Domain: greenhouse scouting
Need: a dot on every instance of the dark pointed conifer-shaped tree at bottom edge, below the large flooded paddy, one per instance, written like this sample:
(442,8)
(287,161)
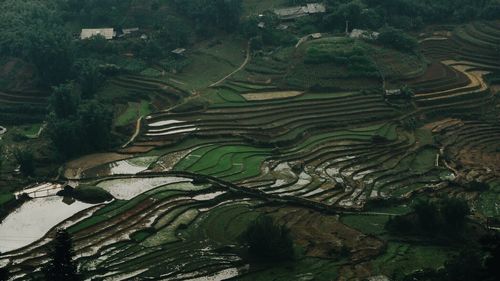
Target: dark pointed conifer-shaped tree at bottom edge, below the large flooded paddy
(61,265)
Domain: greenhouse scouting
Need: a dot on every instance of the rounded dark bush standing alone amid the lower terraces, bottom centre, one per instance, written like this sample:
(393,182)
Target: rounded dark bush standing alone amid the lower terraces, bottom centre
(269,240)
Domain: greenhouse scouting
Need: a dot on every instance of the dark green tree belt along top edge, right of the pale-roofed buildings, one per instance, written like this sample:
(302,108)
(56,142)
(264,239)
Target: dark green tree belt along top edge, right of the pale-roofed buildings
(405,14)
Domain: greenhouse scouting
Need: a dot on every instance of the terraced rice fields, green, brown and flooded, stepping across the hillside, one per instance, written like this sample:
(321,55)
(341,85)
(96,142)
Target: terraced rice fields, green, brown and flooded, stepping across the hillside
(189,182)
